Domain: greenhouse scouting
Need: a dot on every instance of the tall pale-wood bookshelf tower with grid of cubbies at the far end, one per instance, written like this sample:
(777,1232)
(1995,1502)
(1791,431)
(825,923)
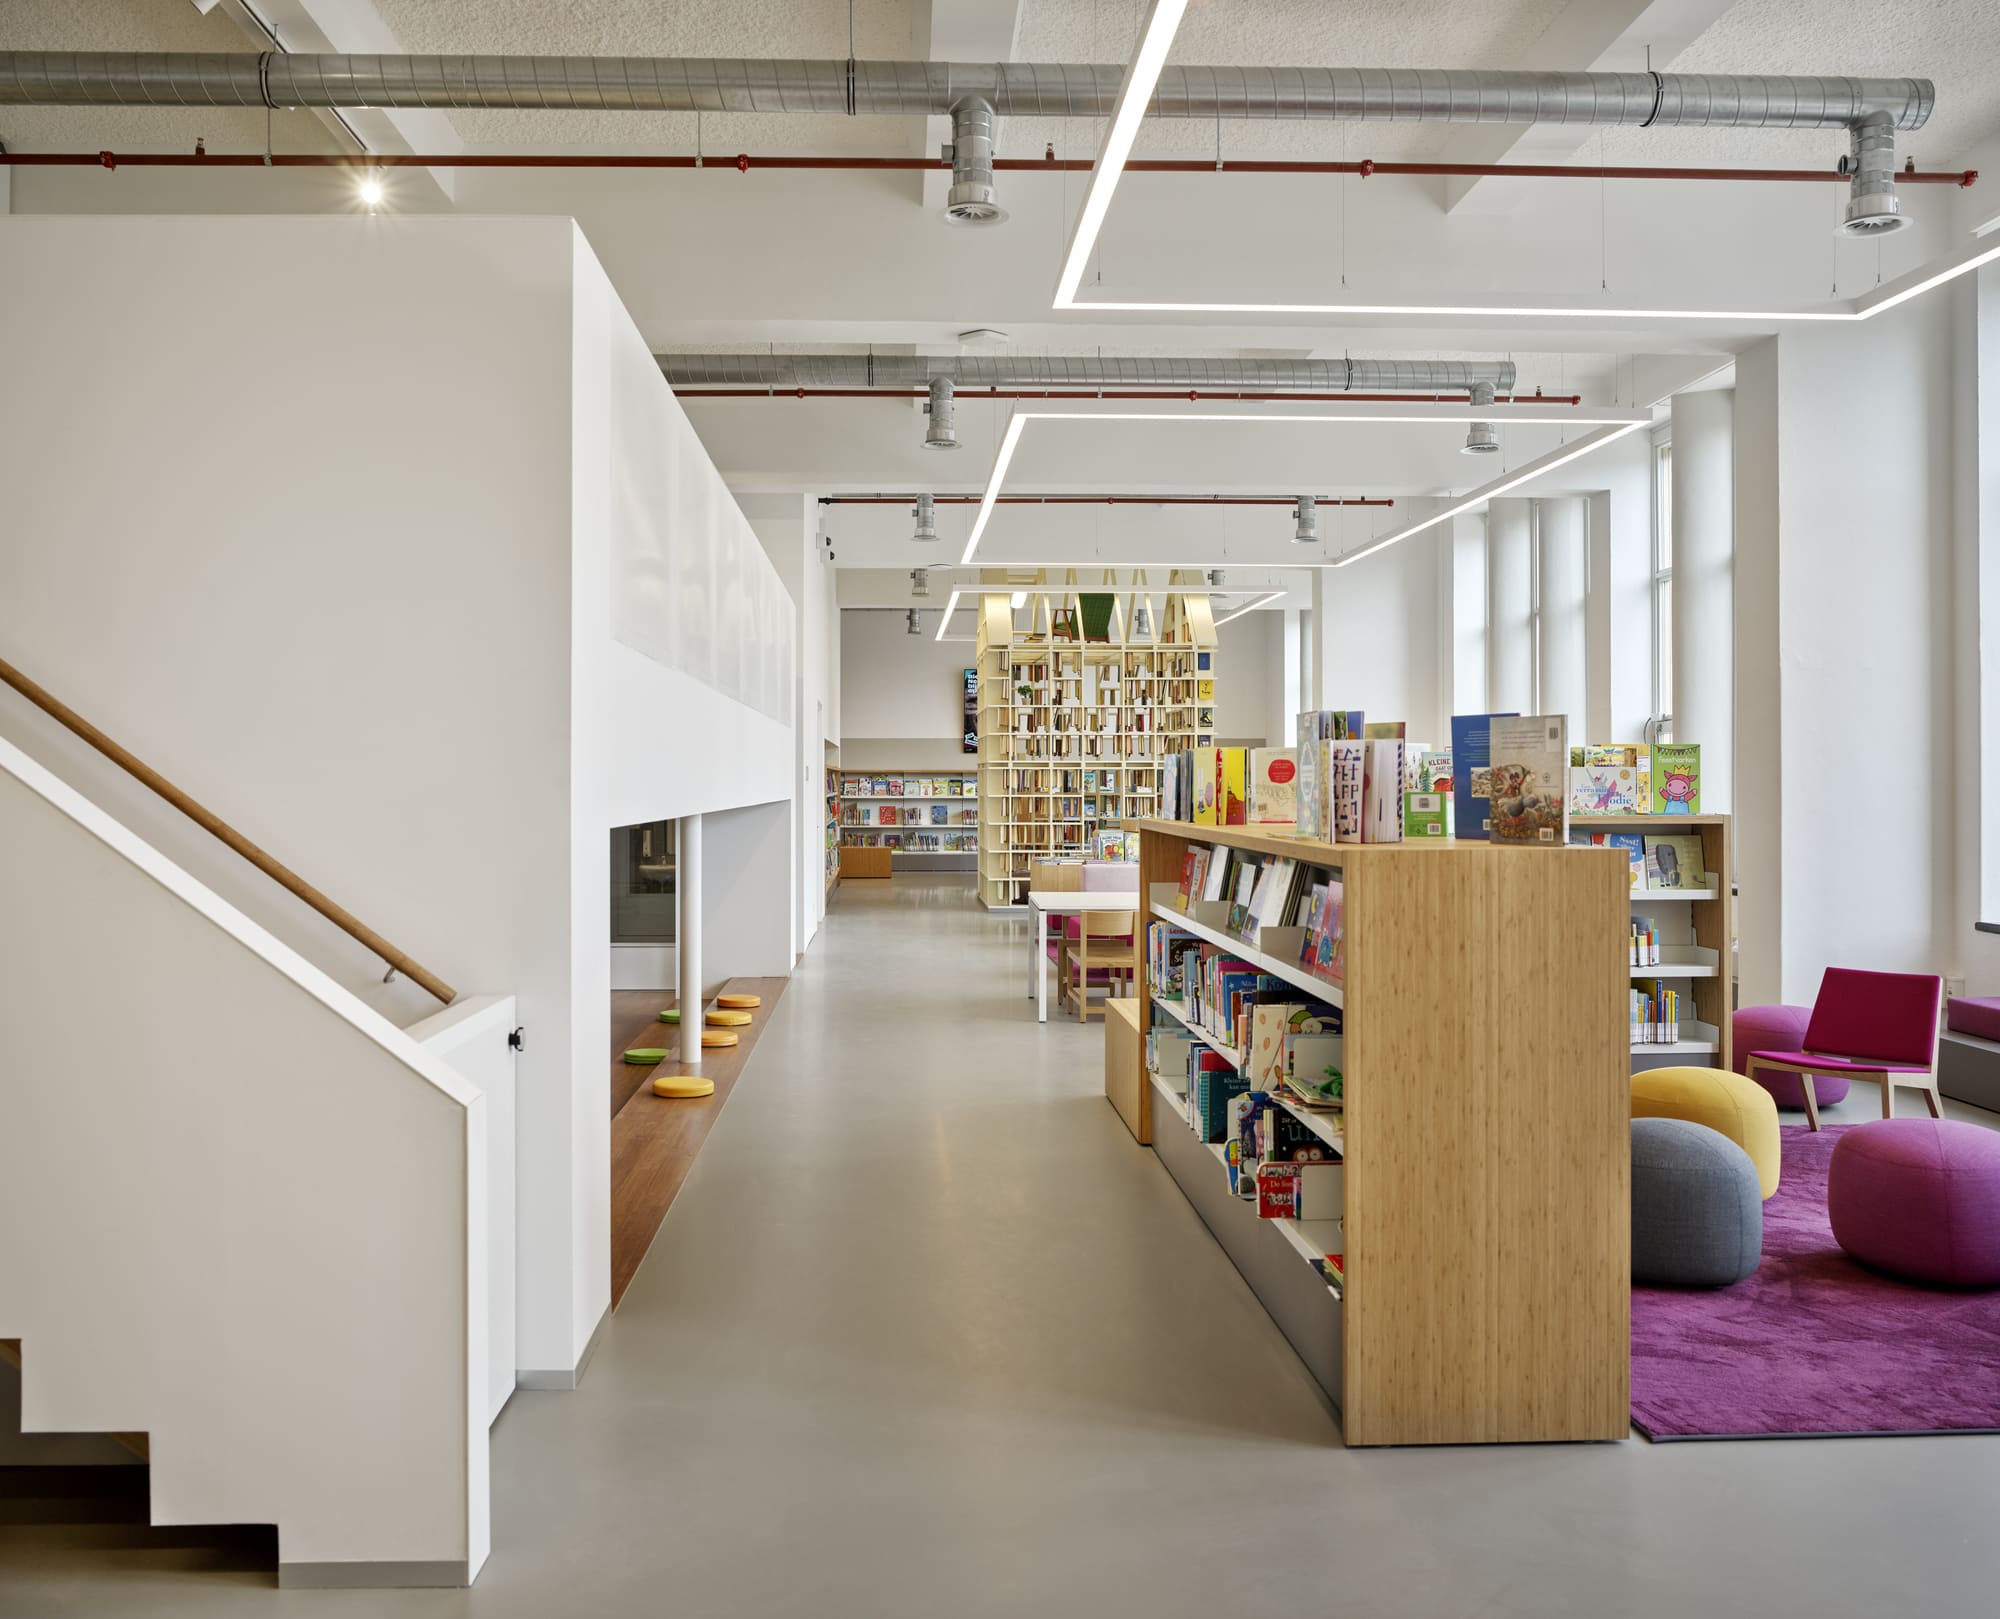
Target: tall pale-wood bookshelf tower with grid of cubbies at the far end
(1083,697)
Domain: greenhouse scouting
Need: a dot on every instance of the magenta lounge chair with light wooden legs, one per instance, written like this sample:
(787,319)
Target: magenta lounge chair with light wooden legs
(1865,1026)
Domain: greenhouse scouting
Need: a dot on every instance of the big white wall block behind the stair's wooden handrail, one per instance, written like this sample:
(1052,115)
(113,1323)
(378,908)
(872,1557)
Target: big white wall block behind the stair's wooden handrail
(383,655)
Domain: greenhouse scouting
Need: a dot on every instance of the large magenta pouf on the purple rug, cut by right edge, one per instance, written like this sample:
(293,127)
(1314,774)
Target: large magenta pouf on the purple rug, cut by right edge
(1919,1198)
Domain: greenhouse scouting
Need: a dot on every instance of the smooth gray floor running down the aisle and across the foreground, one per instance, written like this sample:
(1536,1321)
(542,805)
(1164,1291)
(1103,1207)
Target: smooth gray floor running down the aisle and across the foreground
(927,1334)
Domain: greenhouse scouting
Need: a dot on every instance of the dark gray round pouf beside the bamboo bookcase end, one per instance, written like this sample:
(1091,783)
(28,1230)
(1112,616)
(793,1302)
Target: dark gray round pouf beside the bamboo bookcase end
(1697,1206)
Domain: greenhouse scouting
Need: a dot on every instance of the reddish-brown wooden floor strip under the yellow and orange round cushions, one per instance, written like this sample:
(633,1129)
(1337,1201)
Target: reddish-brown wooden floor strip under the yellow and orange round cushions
(655,1138)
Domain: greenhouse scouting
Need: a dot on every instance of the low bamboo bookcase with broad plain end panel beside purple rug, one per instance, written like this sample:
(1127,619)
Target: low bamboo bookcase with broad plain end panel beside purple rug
(1485,1134)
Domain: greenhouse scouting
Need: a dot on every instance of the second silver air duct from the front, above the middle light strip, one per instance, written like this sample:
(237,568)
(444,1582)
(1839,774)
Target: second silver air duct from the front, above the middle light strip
(1035,371)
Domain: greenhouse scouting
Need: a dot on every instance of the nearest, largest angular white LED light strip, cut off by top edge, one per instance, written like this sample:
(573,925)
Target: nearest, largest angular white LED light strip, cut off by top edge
(1143,79)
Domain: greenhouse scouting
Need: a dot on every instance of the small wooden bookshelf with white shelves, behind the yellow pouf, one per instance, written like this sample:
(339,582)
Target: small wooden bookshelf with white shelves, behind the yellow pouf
(1697,938)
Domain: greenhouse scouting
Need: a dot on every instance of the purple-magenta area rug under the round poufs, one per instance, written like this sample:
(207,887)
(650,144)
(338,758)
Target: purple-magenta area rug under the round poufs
(1813,1344)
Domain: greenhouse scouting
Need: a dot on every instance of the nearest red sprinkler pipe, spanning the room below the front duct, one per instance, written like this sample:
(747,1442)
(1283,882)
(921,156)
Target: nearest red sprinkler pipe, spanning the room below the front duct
(743,163)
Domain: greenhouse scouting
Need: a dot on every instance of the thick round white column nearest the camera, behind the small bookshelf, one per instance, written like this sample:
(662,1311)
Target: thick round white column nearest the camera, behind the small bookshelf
(1705,615)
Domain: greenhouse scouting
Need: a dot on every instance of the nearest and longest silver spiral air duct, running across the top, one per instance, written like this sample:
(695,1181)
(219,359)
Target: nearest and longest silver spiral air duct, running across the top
(939,89)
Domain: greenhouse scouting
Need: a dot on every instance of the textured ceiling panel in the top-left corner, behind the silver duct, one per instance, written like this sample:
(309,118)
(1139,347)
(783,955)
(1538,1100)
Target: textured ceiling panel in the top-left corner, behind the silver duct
(139,25)
